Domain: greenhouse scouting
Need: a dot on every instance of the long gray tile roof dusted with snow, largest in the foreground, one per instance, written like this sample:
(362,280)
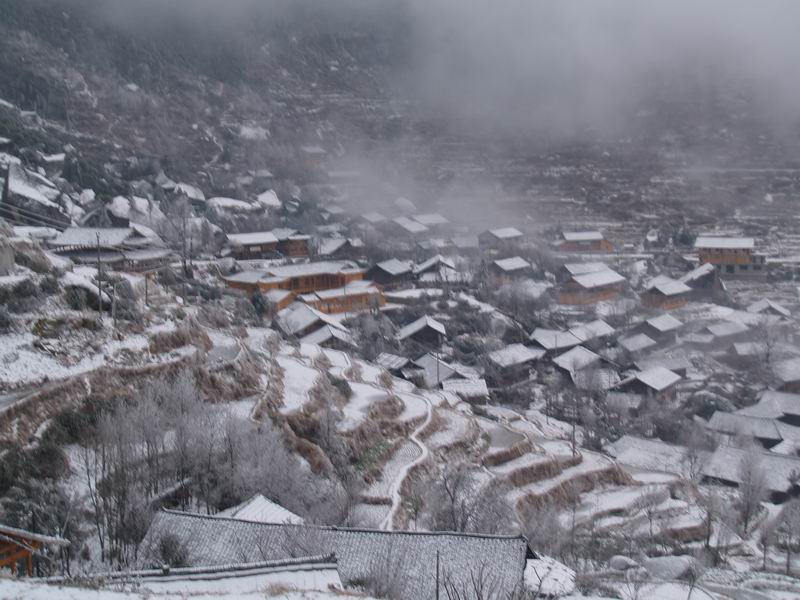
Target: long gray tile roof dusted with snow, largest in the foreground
(407,557)
